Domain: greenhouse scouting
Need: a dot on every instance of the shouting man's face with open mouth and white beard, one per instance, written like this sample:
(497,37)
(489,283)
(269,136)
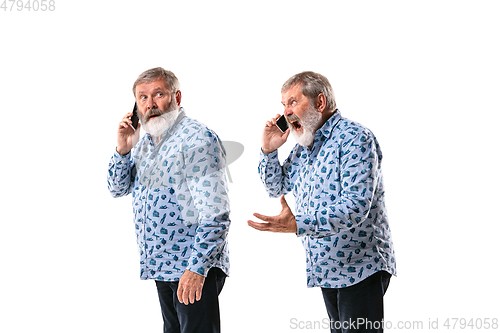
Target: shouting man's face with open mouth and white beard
(301,115)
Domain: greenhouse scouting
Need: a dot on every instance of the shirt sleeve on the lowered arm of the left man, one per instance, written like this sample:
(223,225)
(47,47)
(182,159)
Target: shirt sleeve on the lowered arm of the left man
(205,163)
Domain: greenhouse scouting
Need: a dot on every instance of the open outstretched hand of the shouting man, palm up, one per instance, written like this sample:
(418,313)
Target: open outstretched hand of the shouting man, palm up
(284,222)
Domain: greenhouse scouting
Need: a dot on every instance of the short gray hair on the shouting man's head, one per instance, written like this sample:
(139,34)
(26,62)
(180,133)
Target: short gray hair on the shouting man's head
(313,84)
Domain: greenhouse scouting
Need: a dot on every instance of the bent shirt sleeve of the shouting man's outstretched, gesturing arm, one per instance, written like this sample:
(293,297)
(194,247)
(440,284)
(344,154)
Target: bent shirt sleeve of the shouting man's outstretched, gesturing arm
(359,176)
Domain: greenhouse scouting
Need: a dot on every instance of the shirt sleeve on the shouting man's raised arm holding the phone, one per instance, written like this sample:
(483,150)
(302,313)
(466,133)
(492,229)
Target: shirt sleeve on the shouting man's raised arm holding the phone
(275,177)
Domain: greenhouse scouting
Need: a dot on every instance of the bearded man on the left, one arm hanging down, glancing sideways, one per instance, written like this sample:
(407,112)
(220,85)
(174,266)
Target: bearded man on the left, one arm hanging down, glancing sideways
(176,174)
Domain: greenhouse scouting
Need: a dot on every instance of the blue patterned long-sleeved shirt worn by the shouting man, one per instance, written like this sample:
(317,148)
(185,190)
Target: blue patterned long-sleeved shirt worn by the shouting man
(340,210)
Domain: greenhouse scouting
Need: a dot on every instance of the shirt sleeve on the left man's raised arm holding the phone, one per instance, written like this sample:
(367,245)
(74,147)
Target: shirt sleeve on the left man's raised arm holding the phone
(120,172)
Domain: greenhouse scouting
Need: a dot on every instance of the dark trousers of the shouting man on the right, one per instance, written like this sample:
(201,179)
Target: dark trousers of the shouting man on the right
(358,308)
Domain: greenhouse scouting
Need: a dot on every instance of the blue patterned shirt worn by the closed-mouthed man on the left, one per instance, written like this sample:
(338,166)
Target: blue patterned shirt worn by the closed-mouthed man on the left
(180,201)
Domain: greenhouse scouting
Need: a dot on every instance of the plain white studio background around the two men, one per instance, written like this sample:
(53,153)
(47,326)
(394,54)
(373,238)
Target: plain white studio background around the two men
(423,75)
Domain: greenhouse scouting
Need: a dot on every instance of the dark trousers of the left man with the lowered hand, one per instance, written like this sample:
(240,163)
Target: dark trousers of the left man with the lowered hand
(202,316)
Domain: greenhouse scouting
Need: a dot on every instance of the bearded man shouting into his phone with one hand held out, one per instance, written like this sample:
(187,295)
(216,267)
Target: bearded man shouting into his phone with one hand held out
(335,174)
